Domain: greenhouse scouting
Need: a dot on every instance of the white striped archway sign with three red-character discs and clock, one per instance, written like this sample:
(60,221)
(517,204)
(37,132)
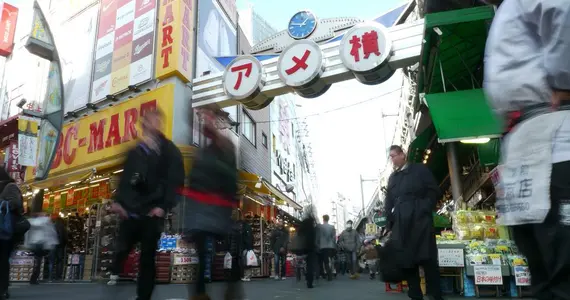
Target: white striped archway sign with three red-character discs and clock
(309,63)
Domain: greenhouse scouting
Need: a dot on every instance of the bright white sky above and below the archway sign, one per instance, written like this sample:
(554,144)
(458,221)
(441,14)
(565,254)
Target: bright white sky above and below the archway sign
(349,141)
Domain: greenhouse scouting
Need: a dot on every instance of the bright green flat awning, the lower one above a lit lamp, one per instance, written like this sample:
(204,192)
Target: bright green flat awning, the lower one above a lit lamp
(462,115)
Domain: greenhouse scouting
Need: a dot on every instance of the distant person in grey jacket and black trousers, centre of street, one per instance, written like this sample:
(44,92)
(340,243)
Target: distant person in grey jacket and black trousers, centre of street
(326,241)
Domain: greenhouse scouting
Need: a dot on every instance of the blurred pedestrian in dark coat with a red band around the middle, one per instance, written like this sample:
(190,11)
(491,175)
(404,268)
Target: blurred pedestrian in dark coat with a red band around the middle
(210,199)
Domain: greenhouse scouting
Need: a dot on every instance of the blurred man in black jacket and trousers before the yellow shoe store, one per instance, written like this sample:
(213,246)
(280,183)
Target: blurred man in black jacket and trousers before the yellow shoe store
(153,171)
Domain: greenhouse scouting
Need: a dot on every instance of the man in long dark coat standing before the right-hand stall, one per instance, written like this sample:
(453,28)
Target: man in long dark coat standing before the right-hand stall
(410,201)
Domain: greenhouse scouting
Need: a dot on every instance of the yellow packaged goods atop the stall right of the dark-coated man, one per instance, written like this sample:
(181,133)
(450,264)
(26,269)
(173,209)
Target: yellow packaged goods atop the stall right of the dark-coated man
(475,225)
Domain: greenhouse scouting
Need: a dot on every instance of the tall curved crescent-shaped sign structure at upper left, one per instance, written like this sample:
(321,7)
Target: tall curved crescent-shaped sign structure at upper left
(41,43)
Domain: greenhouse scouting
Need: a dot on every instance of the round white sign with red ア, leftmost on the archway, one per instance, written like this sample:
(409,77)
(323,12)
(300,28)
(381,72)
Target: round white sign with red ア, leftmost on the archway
(243,77)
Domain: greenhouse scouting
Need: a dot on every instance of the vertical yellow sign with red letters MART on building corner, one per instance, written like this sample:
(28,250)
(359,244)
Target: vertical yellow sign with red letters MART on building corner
(175,38)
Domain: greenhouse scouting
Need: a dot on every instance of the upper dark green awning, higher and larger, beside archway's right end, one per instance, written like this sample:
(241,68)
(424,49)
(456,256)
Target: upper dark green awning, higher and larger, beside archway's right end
(454,44)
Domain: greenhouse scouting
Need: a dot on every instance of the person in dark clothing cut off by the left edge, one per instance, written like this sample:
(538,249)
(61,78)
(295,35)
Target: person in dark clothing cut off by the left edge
(10,193)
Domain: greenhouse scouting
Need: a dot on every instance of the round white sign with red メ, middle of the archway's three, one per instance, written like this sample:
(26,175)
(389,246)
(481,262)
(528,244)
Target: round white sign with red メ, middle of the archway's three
(301,66)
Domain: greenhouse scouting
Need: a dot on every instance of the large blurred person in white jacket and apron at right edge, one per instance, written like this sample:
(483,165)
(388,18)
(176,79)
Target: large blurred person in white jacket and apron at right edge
(527,81)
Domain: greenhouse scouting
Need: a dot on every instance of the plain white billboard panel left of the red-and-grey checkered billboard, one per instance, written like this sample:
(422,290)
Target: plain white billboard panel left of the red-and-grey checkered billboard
(76,42)
